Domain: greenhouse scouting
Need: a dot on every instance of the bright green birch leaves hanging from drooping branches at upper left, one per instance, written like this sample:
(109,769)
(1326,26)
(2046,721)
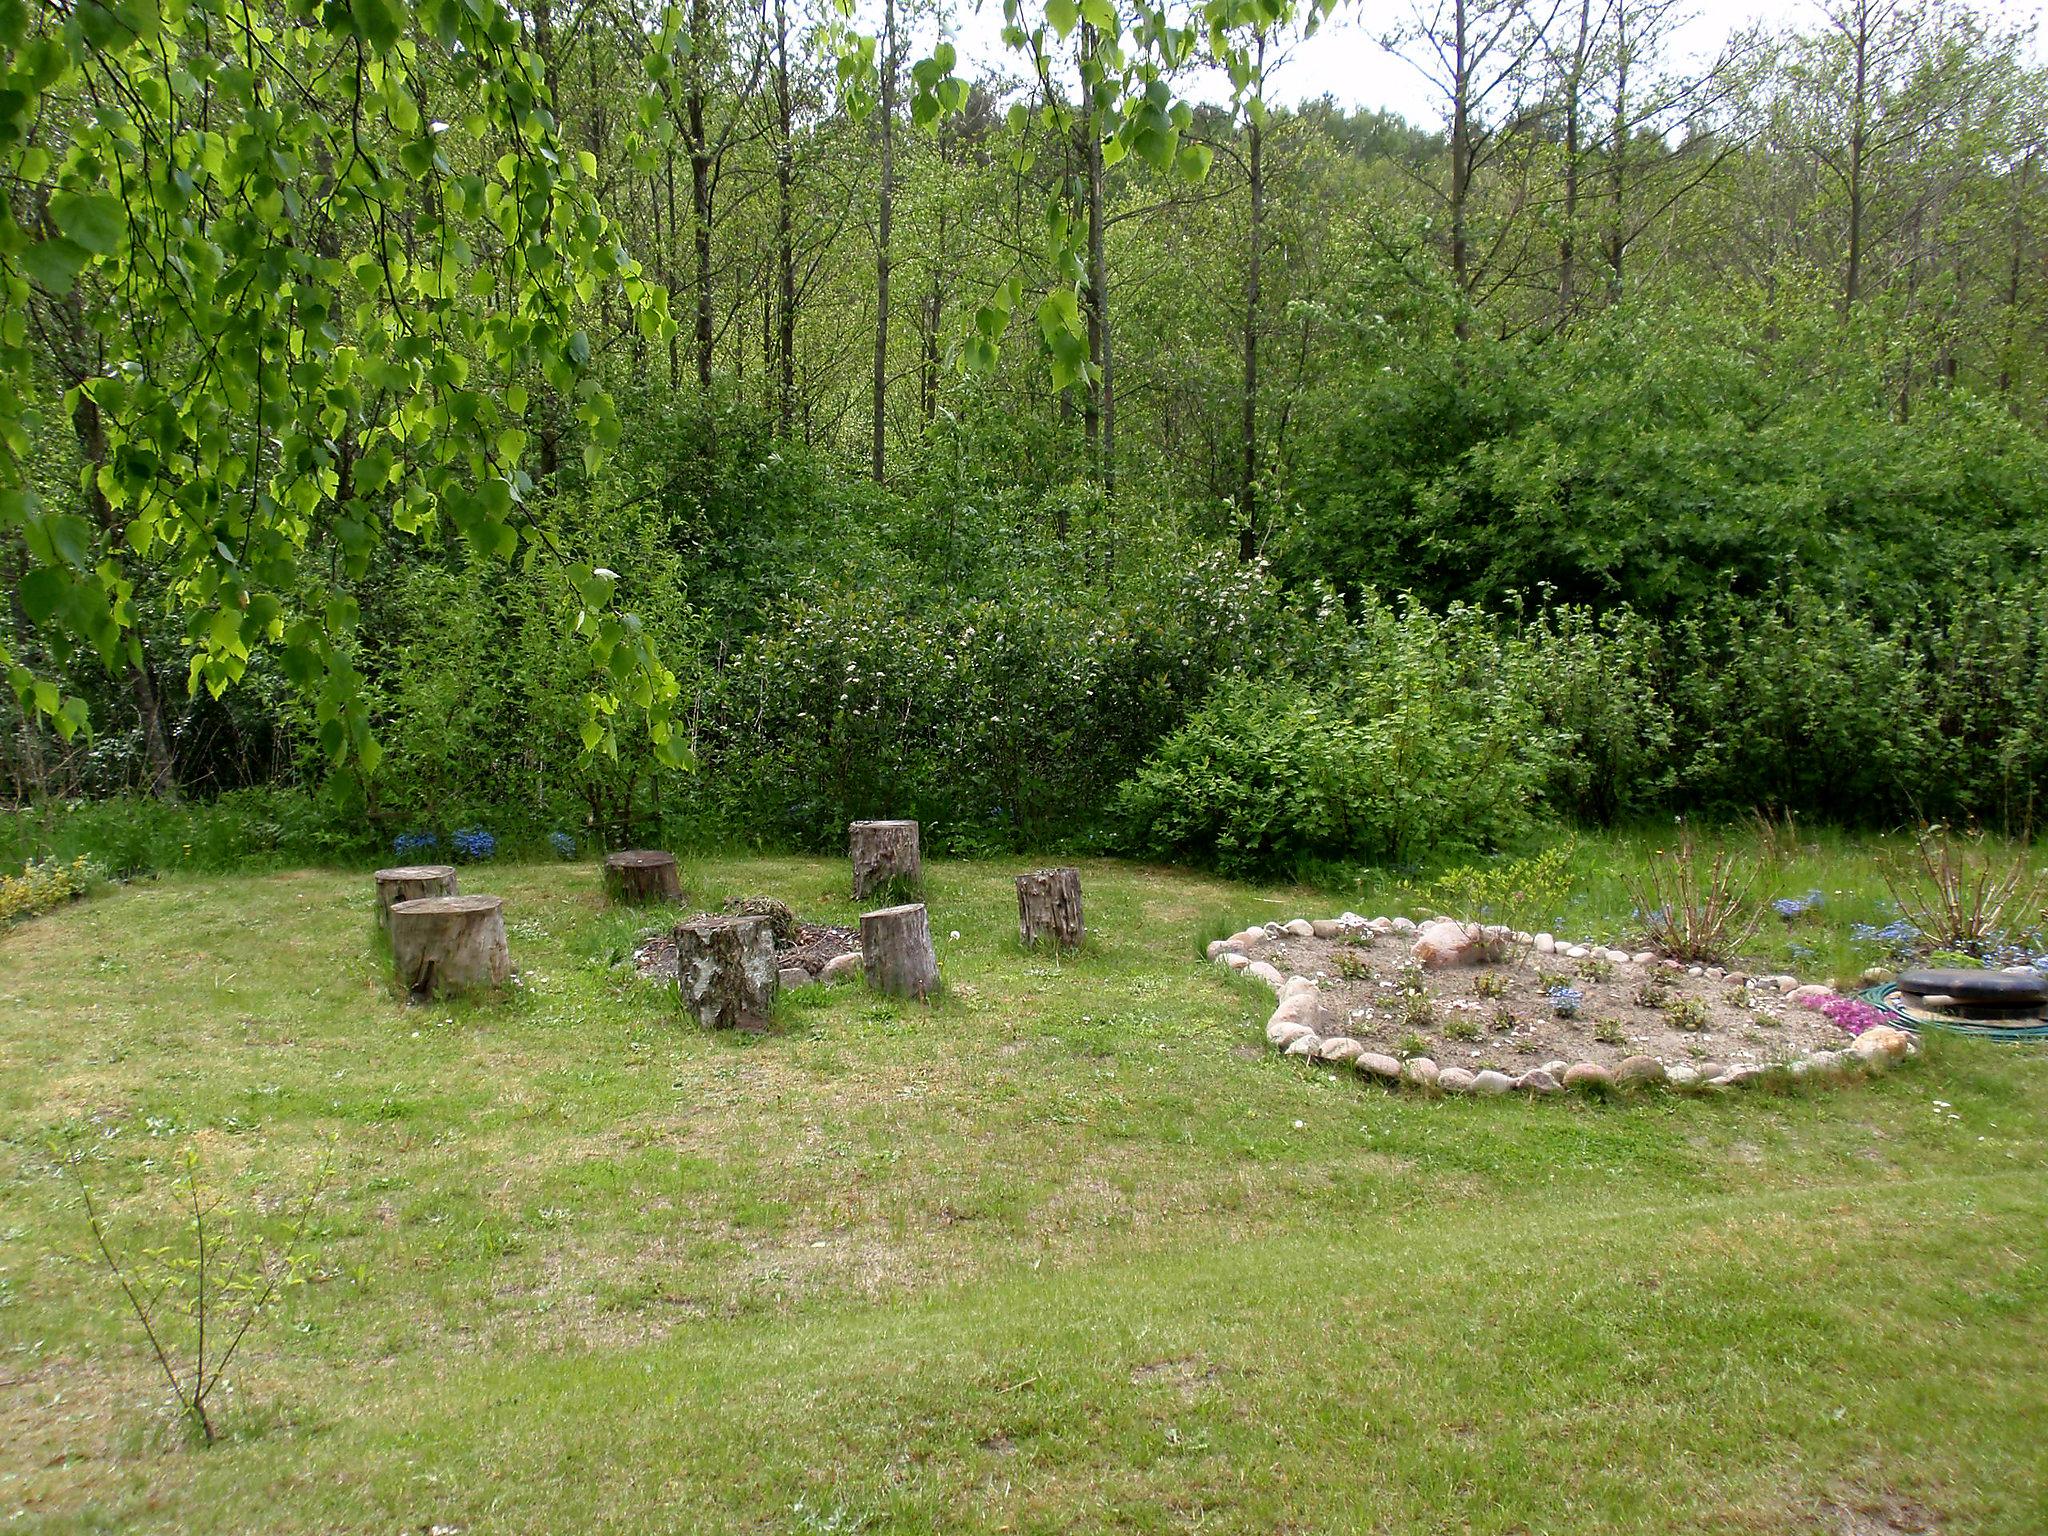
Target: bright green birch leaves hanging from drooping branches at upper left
(316,321)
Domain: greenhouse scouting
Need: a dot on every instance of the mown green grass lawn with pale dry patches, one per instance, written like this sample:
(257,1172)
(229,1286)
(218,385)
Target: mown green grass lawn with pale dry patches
(1068,1252)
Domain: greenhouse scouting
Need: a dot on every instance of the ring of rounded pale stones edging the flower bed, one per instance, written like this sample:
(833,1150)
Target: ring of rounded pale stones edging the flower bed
(1293,1023)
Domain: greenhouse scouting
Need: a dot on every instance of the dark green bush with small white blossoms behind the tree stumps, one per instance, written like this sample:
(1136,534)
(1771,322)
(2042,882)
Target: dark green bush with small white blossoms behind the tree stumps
(1000,724)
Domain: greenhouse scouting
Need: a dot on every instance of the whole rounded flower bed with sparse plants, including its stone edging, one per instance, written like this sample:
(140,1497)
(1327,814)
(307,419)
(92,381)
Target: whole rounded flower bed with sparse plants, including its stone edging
(1488,1011)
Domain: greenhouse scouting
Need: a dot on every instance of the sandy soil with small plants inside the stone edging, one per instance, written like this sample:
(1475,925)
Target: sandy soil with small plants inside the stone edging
(1504,1017)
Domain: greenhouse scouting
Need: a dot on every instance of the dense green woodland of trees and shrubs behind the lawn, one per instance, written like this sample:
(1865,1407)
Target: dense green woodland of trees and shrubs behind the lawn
(1072,450)
